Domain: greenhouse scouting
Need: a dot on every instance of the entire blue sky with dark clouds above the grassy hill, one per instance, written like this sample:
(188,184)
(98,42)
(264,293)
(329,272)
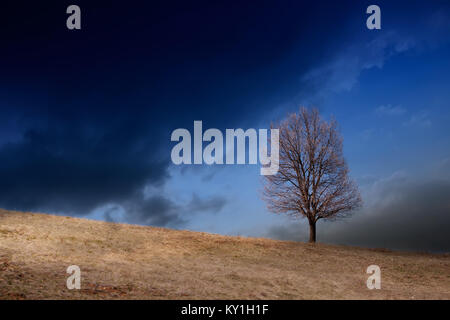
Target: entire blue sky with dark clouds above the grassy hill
(86,115)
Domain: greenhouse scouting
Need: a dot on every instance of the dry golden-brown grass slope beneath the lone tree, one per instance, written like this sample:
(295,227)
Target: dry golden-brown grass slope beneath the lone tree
(120,261)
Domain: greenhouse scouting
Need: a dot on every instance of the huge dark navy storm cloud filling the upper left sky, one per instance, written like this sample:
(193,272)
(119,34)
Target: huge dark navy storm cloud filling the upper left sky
(86,116)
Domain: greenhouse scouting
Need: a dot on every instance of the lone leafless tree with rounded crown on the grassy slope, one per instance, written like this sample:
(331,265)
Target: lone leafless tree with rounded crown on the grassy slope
(313,178)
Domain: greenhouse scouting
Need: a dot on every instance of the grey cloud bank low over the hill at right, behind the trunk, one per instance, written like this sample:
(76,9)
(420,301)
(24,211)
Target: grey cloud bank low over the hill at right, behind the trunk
(401,214)
